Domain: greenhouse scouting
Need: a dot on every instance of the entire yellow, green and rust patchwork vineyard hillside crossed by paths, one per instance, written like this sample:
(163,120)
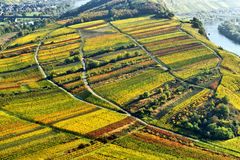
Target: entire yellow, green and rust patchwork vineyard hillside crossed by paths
(124,89)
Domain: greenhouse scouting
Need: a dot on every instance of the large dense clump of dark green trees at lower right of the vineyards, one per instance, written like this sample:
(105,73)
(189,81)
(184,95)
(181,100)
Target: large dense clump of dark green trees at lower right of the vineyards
(213,120)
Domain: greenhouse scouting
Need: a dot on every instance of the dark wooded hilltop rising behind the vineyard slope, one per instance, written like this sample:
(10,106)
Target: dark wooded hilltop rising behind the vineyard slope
(97,9)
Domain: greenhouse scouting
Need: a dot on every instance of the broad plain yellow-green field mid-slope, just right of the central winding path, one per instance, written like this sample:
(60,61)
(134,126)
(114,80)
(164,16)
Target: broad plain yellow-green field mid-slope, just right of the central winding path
(126,90)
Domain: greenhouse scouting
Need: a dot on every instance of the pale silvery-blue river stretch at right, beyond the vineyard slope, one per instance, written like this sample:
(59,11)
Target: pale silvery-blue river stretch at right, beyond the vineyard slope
(220,40)
